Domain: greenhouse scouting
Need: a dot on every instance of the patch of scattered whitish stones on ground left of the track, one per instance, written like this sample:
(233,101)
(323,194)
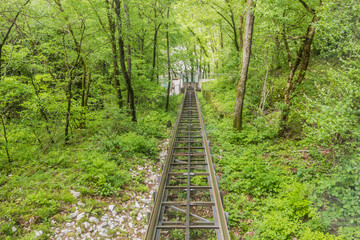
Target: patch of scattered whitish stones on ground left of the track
(121,218)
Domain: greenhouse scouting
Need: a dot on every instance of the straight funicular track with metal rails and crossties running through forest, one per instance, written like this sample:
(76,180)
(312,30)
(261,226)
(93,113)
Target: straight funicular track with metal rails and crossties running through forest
(188,204)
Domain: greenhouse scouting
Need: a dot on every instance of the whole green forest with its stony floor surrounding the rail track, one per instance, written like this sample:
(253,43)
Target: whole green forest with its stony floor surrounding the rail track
(86,113)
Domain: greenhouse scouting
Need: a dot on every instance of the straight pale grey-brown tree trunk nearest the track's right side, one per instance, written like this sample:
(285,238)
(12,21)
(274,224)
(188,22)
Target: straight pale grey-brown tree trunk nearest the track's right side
(239,103)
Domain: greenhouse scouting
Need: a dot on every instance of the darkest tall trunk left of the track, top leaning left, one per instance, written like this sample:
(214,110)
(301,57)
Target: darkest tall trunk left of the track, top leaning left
(123,65)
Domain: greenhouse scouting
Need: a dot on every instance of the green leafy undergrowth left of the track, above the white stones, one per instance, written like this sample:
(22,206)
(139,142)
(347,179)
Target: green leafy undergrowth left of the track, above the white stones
(35,186)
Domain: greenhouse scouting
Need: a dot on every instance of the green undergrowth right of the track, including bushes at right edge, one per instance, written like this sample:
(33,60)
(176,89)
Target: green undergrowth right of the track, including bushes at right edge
(305,186)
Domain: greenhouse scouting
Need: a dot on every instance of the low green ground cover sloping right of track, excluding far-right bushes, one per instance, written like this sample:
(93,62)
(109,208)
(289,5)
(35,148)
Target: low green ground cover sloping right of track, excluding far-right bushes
(274,188)
